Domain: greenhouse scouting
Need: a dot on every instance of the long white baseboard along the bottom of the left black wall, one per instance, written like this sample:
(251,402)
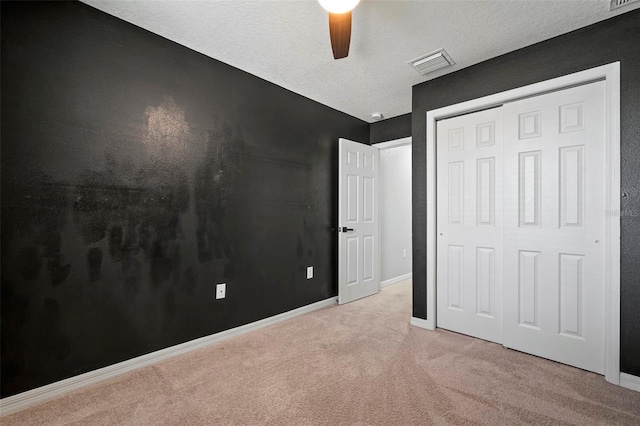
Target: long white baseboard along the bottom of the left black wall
(44,393)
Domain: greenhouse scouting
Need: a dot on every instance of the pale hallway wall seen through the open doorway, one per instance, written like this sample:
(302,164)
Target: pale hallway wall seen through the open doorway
(395,212)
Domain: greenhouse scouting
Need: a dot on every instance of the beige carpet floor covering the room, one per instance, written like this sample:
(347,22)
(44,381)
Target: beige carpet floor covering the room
(357,364)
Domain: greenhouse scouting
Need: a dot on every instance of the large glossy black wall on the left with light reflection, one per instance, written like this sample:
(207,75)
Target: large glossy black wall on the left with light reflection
(137,174)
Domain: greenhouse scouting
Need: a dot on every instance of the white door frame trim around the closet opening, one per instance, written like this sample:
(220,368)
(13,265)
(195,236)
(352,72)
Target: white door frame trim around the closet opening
(611,75)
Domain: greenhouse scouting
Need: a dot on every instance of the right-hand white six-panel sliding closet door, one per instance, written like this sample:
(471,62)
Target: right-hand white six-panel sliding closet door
(554,227)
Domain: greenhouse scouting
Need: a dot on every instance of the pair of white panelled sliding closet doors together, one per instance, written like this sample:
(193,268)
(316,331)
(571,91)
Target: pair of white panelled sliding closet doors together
(544,275)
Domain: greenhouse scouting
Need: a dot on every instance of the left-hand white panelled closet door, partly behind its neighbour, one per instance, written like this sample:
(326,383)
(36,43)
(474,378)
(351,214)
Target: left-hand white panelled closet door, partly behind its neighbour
(469,243)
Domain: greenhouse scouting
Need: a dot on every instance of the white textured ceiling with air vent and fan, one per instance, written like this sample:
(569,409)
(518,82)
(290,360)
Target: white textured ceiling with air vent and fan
(287,42)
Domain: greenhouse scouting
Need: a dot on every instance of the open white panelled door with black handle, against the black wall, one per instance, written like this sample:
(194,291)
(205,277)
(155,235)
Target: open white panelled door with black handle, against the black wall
(358,221)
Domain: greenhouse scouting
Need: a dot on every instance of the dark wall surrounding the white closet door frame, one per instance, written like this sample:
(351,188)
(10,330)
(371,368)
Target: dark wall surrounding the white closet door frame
(615,39)
